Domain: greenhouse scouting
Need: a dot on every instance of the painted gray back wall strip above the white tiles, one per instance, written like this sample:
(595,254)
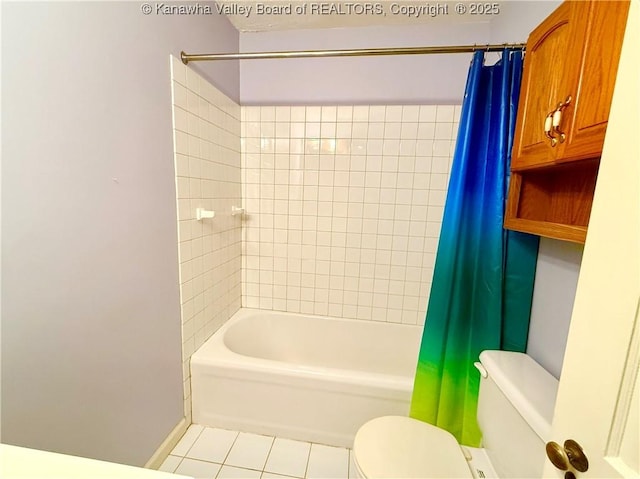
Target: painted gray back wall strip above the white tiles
(431,79)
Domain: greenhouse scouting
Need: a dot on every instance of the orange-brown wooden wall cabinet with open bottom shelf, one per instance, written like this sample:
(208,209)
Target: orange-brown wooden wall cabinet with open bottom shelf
(567,87)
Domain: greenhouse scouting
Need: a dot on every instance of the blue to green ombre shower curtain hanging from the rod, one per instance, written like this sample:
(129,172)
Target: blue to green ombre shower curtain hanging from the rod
(483,277)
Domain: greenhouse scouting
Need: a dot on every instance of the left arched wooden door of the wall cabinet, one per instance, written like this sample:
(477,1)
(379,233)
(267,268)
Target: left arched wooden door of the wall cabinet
(551,50)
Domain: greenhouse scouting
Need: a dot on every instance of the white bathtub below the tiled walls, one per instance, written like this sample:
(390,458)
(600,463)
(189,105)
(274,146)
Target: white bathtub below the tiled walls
(309,378)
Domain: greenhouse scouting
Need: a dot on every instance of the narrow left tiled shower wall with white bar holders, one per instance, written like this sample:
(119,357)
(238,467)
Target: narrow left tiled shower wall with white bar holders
(207,162)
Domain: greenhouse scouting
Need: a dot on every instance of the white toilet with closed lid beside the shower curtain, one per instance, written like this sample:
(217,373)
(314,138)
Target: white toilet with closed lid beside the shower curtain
(515,408)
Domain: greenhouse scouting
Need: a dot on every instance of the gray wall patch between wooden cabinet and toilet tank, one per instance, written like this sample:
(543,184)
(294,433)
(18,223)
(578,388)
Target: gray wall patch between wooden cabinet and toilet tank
(553,295)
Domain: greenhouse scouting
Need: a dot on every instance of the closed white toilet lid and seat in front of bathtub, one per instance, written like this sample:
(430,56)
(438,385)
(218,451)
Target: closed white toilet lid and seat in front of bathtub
(401,447)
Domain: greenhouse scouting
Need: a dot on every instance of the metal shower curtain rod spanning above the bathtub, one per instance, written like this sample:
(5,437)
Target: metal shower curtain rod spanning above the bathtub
(364,52)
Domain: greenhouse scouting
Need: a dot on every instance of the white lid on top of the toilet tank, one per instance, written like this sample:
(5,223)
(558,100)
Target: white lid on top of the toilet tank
(530,388)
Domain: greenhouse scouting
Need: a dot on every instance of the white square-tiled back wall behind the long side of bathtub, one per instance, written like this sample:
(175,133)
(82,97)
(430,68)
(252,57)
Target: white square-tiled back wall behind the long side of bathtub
(344,206)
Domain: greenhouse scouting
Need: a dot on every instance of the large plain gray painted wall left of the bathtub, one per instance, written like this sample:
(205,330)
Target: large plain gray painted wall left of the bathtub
(91,341)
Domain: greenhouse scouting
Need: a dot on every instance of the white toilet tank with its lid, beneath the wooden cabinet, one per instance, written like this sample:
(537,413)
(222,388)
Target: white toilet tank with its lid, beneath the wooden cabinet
(515,408)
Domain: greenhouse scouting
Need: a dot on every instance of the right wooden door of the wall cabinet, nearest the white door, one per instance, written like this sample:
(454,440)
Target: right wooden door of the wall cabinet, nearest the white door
(585,119)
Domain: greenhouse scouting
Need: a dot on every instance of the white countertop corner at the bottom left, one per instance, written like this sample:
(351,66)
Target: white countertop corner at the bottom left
(20,462)
